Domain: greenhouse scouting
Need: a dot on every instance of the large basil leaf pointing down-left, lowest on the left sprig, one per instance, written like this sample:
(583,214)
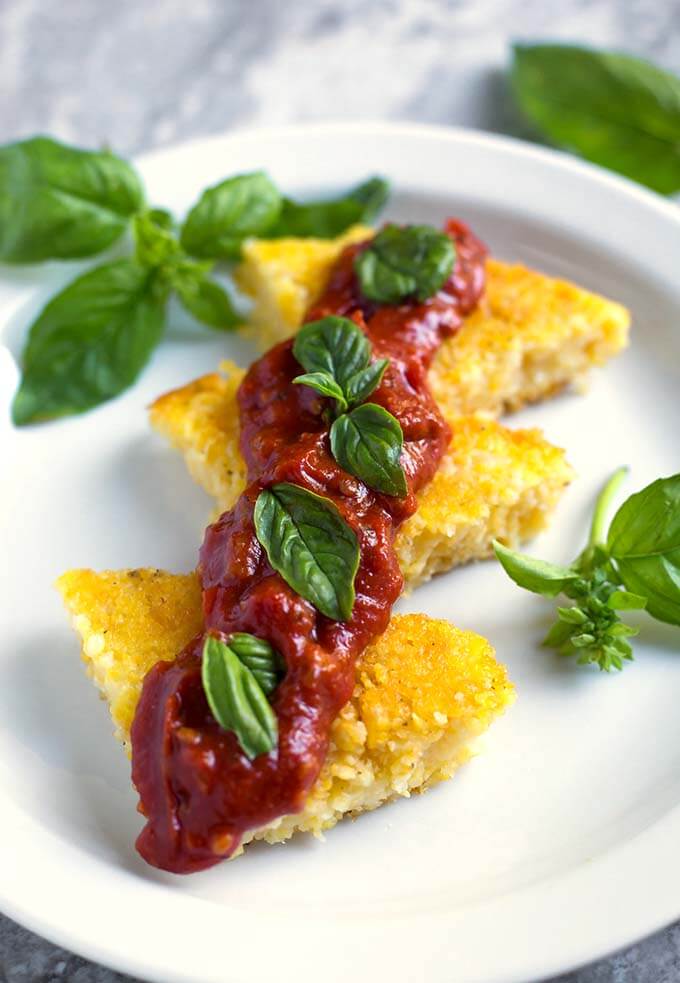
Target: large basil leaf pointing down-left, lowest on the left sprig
(90,342)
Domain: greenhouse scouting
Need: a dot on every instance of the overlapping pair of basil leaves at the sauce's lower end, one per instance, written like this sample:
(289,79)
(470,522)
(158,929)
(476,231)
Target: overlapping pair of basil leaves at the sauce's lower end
(237,676)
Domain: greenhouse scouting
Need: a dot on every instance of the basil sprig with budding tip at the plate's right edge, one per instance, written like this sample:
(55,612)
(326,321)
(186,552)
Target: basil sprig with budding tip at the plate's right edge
(635,565)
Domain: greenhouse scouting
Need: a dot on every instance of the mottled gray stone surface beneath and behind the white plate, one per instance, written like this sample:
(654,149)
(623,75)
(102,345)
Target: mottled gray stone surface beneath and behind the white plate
(143,73)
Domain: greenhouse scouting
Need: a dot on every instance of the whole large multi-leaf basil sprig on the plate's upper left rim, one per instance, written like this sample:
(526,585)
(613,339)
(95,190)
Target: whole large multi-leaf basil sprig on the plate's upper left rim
(92,339)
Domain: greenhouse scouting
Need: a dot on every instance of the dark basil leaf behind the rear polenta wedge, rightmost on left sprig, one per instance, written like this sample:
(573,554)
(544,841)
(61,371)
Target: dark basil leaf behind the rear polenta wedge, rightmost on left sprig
(328,219)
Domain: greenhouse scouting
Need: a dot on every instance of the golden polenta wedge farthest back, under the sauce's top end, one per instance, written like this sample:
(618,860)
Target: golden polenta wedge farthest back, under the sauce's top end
(530,336)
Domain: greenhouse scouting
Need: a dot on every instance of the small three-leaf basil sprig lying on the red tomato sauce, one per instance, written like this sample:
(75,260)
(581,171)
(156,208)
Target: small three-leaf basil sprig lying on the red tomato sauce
(367,440)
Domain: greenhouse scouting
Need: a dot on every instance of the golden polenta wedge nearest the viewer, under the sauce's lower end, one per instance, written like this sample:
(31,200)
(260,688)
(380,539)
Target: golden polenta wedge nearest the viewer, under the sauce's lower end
(425,690)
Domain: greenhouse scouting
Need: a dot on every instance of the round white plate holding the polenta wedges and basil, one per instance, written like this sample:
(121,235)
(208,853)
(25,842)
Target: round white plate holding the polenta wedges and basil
(557,845)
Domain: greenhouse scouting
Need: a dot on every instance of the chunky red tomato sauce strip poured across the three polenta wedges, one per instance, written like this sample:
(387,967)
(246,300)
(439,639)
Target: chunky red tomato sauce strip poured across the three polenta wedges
(198,791)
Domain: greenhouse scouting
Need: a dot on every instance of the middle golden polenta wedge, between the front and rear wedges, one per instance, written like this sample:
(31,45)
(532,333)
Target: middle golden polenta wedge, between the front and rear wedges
(493,483)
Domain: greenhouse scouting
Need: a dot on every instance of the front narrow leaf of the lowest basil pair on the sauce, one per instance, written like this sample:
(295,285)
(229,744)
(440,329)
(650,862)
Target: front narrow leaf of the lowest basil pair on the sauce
(236,698)
